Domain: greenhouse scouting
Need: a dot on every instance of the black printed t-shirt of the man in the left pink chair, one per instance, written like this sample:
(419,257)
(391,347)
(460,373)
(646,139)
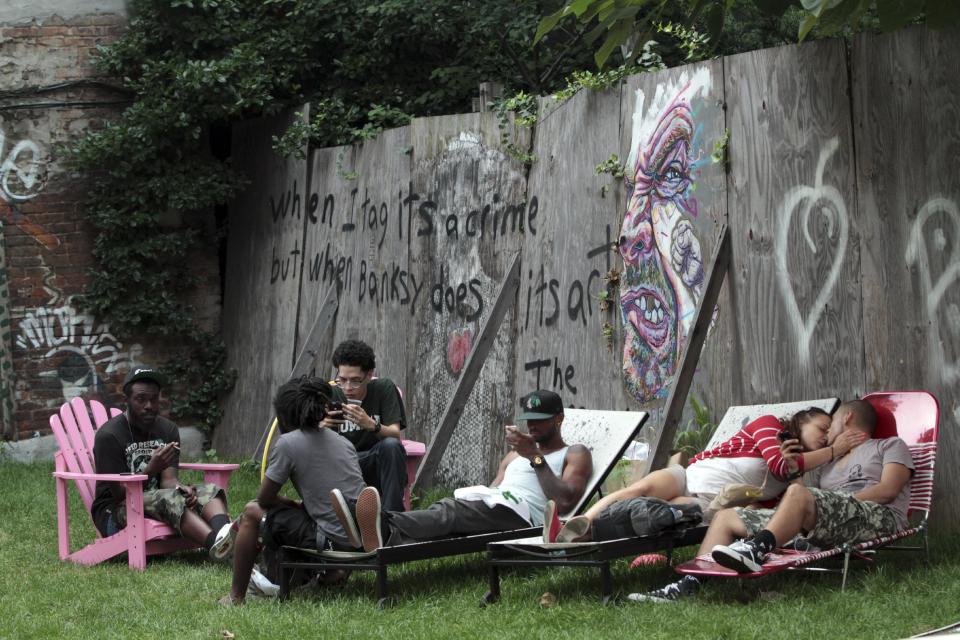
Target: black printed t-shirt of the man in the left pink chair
(116,451)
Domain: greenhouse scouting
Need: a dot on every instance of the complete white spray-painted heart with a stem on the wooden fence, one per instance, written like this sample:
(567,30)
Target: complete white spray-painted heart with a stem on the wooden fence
(806,196)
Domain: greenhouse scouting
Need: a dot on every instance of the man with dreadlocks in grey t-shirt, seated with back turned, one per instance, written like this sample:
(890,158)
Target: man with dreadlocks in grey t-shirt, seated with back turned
(316,460)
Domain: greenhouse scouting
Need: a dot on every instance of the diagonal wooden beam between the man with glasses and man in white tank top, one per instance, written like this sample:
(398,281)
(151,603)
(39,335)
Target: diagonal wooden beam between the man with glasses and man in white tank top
(506,298)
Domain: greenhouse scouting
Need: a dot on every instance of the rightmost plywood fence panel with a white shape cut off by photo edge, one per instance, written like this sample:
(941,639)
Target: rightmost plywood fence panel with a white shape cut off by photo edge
(906,103)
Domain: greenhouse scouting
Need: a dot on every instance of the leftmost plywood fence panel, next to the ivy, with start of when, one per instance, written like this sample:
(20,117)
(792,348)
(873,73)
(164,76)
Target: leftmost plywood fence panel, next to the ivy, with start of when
(264,258)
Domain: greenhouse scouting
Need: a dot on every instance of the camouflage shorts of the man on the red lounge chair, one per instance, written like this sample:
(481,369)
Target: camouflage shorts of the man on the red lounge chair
(840,518)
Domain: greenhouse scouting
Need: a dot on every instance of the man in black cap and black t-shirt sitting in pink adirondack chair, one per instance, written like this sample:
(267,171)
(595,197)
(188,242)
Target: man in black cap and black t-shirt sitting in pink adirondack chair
(139,441)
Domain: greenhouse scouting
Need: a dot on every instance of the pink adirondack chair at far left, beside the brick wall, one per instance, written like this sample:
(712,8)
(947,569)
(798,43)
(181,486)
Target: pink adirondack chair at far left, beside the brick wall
(142,536)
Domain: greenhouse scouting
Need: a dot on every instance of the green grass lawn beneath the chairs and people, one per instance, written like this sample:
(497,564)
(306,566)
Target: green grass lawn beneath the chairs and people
(176,597)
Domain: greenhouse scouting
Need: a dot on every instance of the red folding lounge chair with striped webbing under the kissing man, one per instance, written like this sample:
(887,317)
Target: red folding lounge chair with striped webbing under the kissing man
(914,416)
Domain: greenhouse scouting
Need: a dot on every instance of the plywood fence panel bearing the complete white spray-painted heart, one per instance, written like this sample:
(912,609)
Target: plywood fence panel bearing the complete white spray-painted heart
(792,203)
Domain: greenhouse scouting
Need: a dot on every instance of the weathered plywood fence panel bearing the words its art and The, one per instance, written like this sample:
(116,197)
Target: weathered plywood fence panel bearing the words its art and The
(567,255)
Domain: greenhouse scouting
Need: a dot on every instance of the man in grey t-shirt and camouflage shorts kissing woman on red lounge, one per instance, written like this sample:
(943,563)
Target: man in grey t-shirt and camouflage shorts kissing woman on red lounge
(857,497)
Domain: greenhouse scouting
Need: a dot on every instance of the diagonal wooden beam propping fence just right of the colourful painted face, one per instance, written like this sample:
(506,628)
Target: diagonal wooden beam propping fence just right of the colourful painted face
(663,439)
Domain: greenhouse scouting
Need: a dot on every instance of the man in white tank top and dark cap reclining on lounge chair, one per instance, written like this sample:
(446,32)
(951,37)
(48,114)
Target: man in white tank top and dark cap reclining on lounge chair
(539,467)
